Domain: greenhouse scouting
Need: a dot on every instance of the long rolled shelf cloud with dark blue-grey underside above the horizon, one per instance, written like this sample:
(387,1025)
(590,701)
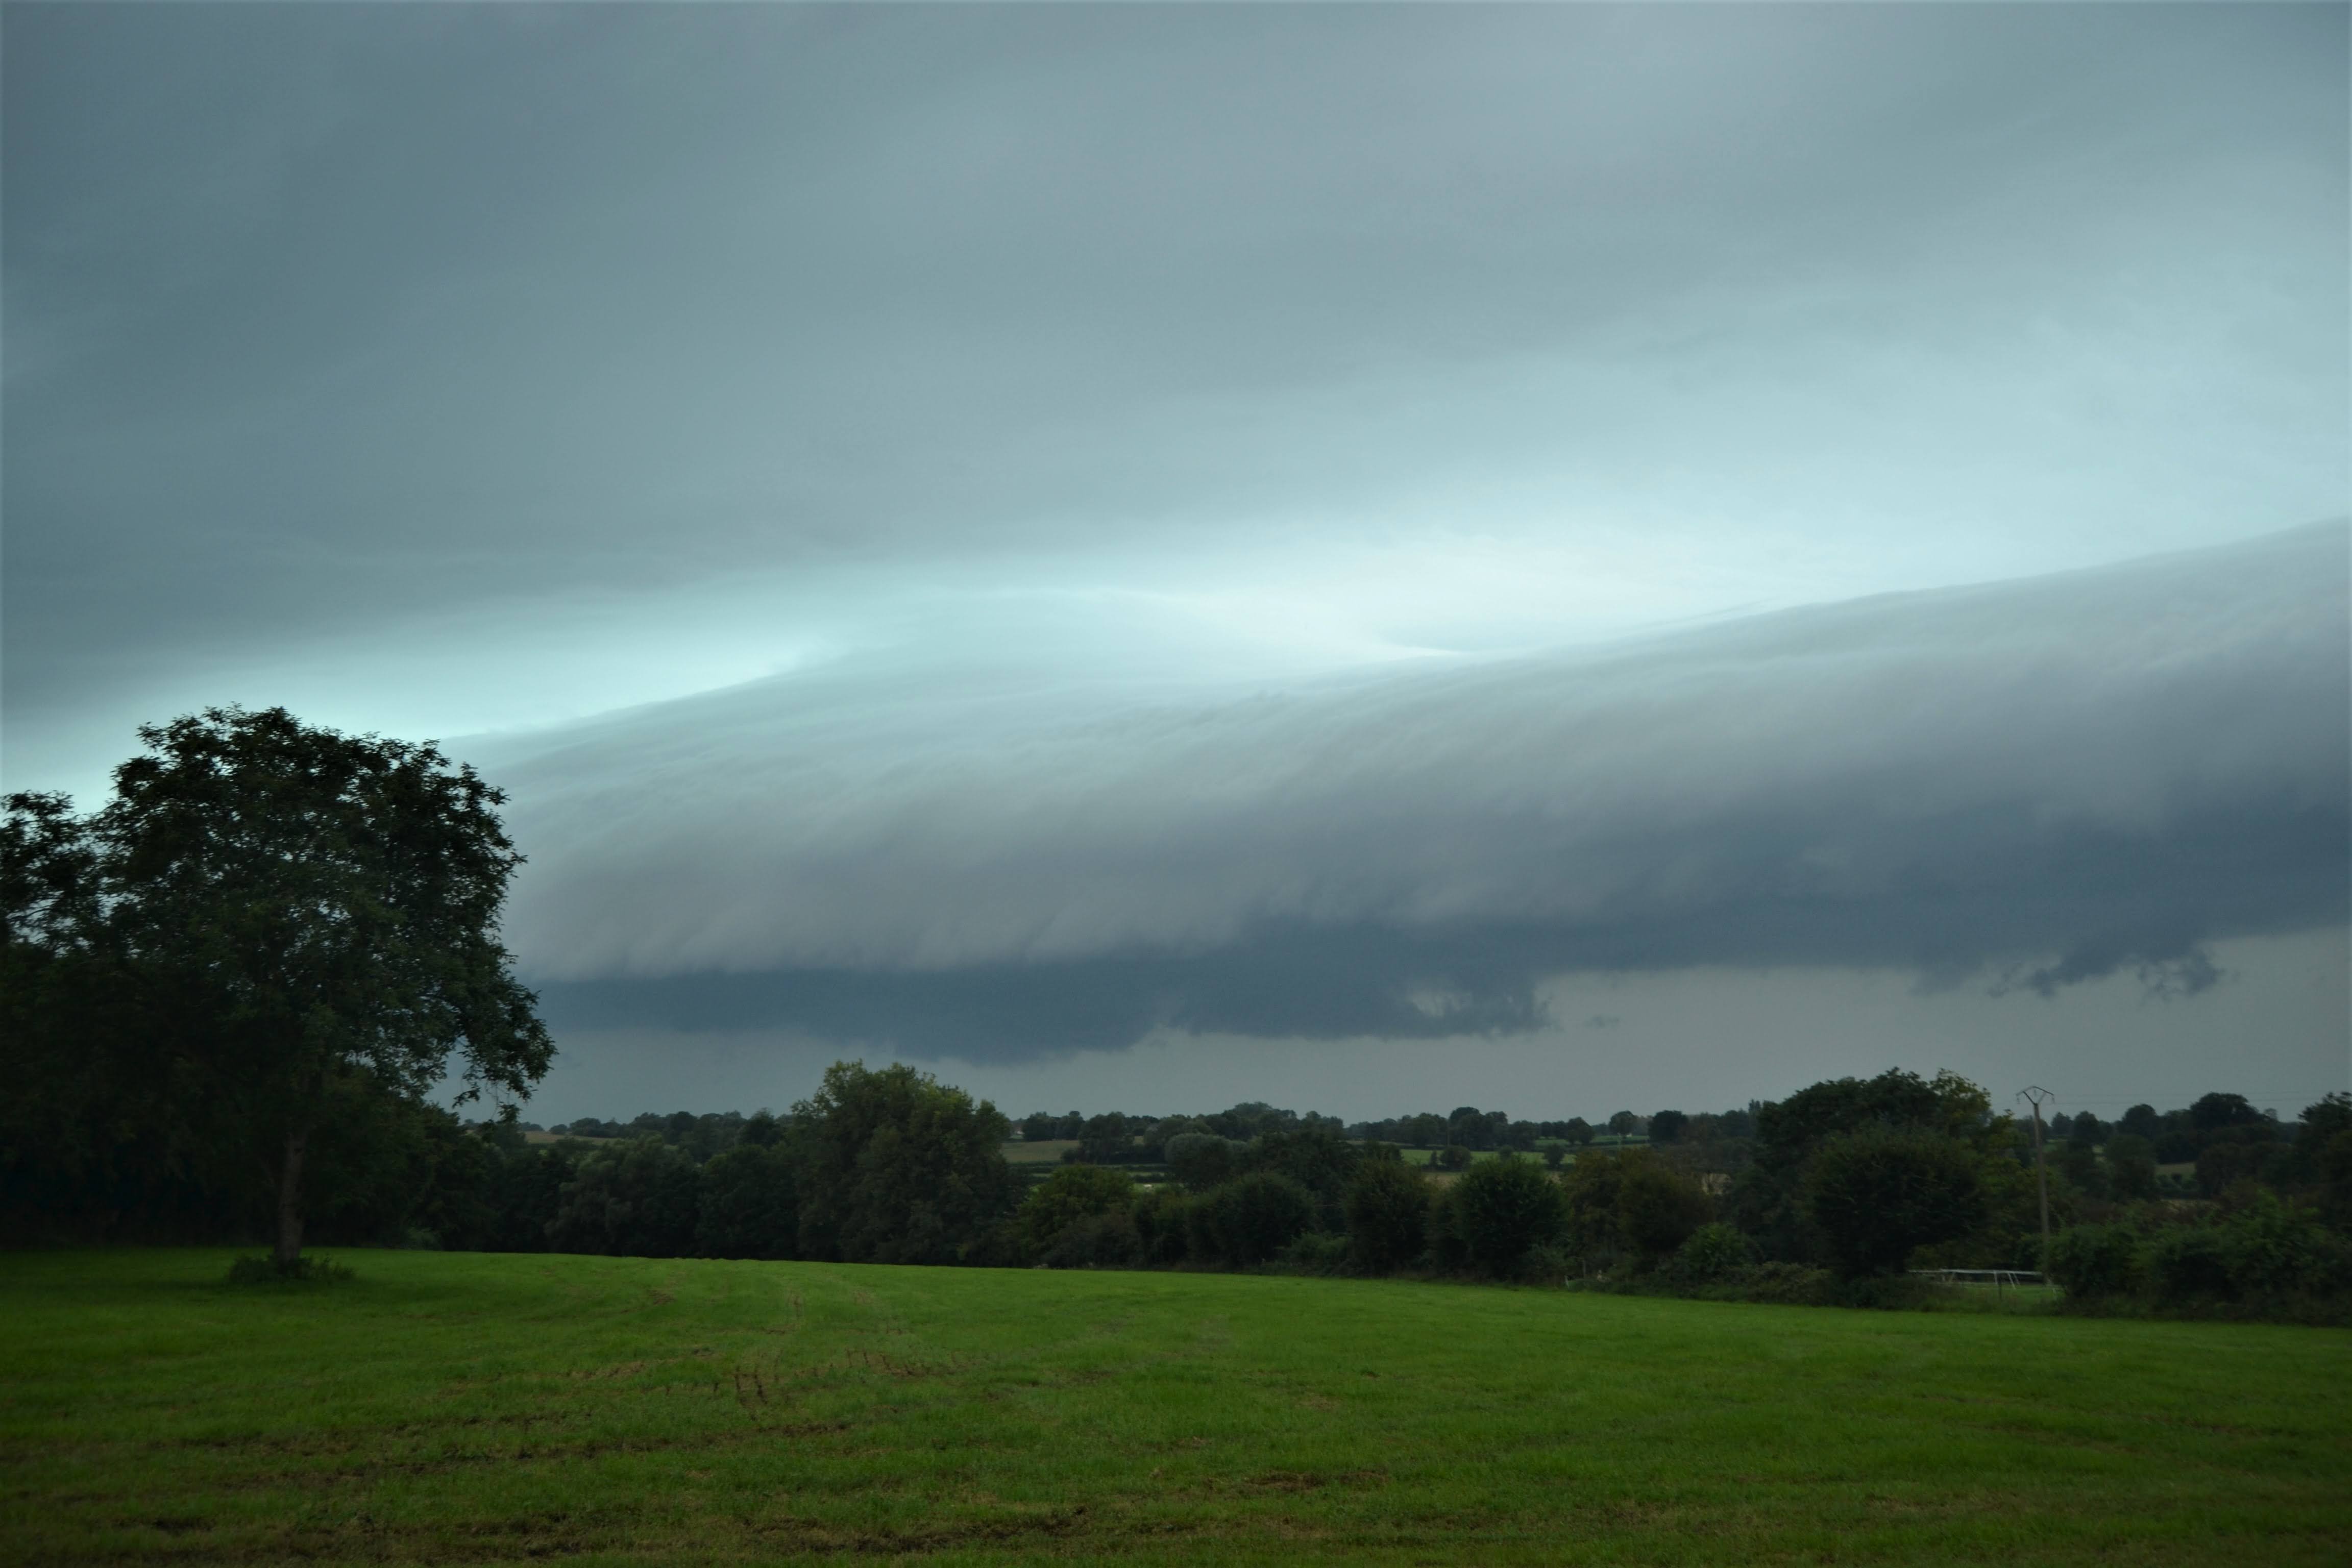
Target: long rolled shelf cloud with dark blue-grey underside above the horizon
(2031,782)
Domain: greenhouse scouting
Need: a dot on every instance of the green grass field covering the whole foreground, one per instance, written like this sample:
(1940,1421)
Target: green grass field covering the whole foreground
(455,1407)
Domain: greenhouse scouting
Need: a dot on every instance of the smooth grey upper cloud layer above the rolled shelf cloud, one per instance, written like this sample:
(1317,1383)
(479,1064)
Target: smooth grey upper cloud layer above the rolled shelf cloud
(323,316)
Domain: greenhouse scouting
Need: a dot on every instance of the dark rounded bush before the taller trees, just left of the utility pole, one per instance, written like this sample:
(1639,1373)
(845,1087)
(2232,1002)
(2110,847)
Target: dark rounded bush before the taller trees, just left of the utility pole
(1880,1193)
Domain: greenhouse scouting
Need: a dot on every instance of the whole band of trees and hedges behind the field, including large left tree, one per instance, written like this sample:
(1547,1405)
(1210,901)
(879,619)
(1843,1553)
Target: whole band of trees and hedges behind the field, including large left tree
(227,996)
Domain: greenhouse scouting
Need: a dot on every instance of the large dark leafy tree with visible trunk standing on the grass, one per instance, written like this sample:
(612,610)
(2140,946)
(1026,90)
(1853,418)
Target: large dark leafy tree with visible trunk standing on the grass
(323,916)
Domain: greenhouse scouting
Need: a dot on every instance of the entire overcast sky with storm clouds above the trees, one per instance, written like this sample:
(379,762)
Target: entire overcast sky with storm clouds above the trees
(1368,558)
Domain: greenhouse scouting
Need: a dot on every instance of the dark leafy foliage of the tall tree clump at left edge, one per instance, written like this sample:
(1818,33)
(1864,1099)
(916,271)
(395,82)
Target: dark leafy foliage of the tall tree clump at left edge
(267,937)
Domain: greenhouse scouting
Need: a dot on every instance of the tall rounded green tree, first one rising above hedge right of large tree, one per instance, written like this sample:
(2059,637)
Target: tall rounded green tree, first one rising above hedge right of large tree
(895,1167)
